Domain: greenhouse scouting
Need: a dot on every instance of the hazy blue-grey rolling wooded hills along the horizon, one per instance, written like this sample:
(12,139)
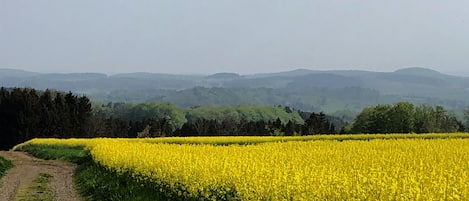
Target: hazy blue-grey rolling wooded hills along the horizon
(309,90)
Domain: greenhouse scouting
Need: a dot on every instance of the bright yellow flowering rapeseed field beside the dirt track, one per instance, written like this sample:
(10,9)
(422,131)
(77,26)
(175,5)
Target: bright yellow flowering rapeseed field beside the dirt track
(348,167)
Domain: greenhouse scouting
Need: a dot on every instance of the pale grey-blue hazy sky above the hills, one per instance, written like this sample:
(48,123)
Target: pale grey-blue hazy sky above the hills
(243,36)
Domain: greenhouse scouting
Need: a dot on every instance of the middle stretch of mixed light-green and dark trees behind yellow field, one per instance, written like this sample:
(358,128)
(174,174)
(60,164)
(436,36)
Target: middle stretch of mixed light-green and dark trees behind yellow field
(166,119)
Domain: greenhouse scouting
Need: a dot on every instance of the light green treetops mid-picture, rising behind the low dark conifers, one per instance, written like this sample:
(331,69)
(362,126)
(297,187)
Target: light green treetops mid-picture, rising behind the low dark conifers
(178,116)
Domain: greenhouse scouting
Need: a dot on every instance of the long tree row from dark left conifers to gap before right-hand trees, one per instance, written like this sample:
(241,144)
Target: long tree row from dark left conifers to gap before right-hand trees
(26,114)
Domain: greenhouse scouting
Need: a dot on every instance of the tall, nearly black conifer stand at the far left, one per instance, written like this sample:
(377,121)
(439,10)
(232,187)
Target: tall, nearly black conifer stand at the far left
(27,114)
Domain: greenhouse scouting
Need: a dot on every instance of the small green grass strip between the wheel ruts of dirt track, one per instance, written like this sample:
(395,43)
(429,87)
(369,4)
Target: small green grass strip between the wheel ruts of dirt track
(39,190)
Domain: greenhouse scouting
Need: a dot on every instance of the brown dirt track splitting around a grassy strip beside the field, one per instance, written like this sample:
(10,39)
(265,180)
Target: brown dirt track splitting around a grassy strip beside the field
(27,168)
